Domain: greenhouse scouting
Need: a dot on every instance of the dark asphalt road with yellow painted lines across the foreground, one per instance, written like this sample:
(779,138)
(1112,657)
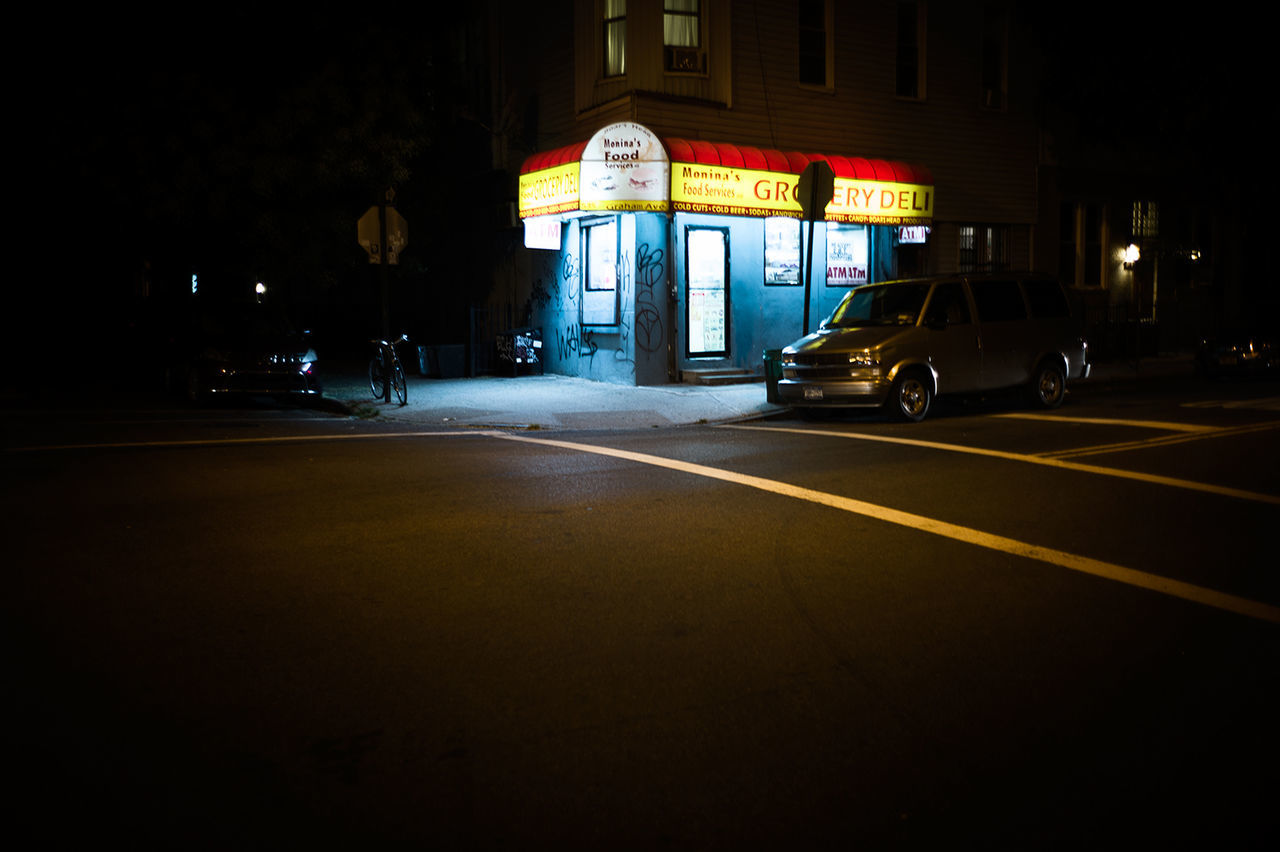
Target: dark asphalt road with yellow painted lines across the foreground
(264,629)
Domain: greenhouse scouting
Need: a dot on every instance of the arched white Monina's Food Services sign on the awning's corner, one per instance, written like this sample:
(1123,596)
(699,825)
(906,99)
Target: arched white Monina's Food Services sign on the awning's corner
(625,167)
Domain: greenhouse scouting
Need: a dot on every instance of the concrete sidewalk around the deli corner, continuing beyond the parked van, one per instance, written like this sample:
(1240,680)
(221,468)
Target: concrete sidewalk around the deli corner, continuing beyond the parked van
(565,402)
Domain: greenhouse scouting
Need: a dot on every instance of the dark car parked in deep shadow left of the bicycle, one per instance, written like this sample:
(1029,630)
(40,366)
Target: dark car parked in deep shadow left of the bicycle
(240,349)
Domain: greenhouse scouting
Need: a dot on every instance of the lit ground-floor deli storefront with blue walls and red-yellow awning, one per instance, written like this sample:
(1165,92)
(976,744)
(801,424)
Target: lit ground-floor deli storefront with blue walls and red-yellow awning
(659,258)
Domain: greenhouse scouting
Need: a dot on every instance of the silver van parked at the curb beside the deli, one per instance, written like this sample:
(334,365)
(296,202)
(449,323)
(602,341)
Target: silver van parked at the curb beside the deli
(903,343)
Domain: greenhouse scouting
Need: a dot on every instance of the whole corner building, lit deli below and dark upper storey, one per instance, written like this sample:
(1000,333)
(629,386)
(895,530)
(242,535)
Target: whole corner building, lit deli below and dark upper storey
(924,114)
